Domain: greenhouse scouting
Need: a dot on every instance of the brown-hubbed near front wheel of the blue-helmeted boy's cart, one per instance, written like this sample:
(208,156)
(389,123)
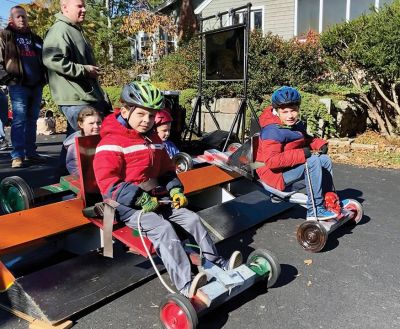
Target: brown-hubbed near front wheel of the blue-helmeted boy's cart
(312,236)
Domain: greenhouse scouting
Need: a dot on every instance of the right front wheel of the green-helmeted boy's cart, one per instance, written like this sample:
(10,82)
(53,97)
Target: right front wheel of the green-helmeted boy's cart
(265,264)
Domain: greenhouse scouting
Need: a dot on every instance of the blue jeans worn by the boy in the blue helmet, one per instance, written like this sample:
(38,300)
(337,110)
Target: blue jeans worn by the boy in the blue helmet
(320,170)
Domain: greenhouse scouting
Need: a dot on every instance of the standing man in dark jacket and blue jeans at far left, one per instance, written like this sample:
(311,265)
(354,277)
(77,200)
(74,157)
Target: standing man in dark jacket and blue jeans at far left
(22,70)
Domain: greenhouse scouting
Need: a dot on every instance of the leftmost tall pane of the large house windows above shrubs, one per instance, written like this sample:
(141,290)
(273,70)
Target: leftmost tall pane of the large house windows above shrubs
(307,16)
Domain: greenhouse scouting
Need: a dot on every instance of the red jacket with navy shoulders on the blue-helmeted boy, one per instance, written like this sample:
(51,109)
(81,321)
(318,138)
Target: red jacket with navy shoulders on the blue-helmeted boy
(281,148)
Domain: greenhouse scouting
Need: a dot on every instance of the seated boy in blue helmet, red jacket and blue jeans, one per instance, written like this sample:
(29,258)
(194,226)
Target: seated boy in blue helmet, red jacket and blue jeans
(285,148)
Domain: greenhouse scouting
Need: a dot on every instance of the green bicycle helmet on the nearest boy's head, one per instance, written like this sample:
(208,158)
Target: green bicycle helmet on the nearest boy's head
(142,94)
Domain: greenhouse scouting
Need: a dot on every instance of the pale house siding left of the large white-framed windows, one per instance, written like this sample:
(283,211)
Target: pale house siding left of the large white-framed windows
(278,14)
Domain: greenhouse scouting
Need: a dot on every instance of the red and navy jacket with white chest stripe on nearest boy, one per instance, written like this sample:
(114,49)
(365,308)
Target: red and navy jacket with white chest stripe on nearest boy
(125,158)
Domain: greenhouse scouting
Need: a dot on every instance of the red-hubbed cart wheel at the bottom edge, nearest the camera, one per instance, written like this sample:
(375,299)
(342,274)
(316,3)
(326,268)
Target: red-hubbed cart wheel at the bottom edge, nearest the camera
(176,312)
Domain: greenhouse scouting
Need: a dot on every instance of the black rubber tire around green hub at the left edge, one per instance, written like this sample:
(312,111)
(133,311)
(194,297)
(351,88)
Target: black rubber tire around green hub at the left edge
(24,190)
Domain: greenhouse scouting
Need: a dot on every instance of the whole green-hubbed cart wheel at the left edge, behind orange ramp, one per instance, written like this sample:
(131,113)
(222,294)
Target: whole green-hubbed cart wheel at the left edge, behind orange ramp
(15,195)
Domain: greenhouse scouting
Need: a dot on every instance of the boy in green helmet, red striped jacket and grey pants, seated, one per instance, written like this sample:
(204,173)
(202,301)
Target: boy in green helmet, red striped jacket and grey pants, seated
(133,168)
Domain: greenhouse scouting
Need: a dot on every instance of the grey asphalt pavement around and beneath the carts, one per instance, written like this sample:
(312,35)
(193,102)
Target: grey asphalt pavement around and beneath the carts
(353,283)
